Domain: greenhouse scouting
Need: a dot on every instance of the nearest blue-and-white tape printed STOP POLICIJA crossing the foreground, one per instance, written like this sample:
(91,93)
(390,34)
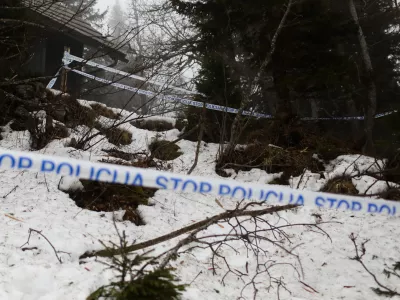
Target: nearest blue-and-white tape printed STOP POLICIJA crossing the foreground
(270,194)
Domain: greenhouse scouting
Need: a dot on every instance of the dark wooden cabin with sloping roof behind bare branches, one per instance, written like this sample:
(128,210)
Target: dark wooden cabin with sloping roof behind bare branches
(62,30)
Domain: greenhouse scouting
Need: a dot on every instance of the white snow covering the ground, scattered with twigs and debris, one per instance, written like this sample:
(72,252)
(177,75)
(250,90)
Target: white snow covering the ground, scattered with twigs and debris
(326,271)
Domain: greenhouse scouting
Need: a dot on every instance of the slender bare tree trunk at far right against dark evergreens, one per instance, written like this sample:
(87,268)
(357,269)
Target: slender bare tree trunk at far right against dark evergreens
(371,99)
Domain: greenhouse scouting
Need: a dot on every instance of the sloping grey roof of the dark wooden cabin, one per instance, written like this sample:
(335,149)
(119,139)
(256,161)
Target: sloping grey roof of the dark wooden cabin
(56,14)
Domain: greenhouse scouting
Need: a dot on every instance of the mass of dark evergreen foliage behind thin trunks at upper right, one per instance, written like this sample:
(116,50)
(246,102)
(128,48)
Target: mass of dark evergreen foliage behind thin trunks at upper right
(317,59)
